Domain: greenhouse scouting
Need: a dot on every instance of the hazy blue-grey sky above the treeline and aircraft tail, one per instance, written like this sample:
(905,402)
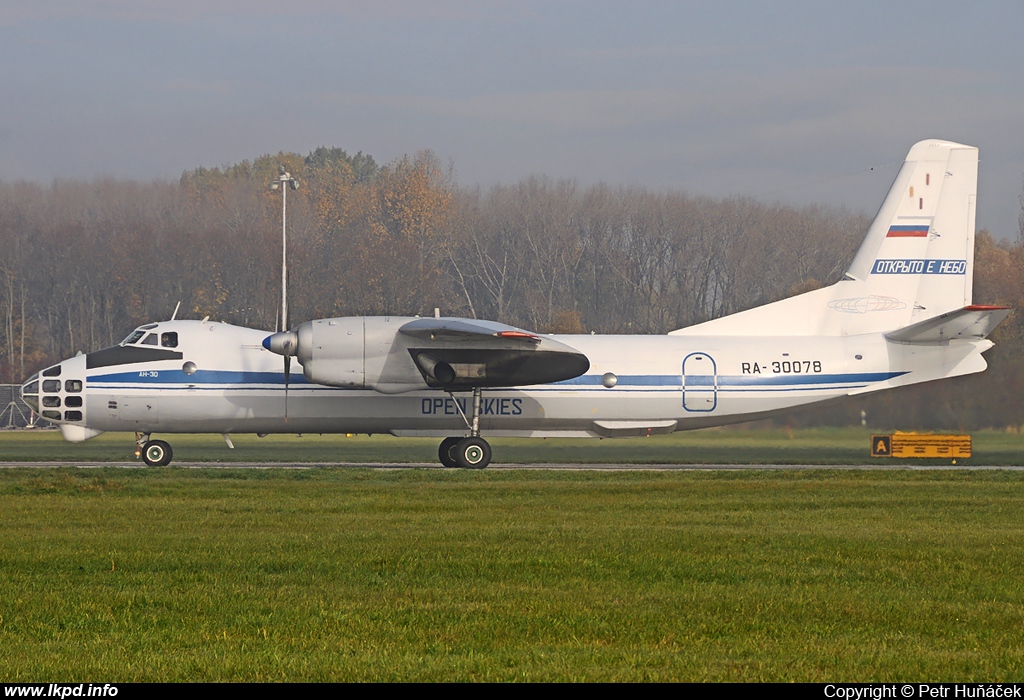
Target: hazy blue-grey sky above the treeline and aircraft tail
(795,103)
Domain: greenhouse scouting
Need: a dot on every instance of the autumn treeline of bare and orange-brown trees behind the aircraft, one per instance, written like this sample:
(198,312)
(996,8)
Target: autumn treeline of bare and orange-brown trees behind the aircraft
(84,262)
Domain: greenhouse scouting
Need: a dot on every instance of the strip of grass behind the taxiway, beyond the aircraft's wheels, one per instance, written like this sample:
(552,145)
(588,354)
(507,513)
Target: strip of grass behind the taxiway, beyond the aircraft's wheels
(729,446)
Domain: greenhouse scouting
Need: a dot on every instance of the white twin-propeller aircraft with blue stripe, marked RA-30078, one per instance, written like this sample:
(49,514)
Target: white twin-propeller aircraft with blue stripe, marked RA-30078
(903,315)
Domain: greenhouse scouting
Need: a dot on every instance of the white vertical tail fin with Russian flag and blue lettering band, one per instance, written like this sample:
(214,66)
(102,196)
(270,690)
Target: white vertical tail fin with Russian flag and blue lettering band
(917,261)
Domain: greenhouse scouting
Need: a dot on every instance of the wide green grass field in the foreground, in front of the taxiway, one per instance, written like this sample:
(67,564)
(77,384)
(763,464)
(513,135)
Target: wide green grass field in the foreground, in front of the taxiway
(355,575)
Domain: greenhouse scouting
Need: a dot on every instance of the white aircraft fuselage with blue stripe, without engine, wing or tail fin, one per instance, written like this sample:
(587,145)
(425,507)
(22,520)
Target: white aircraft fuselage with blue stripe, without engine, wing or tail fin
(636,385)
